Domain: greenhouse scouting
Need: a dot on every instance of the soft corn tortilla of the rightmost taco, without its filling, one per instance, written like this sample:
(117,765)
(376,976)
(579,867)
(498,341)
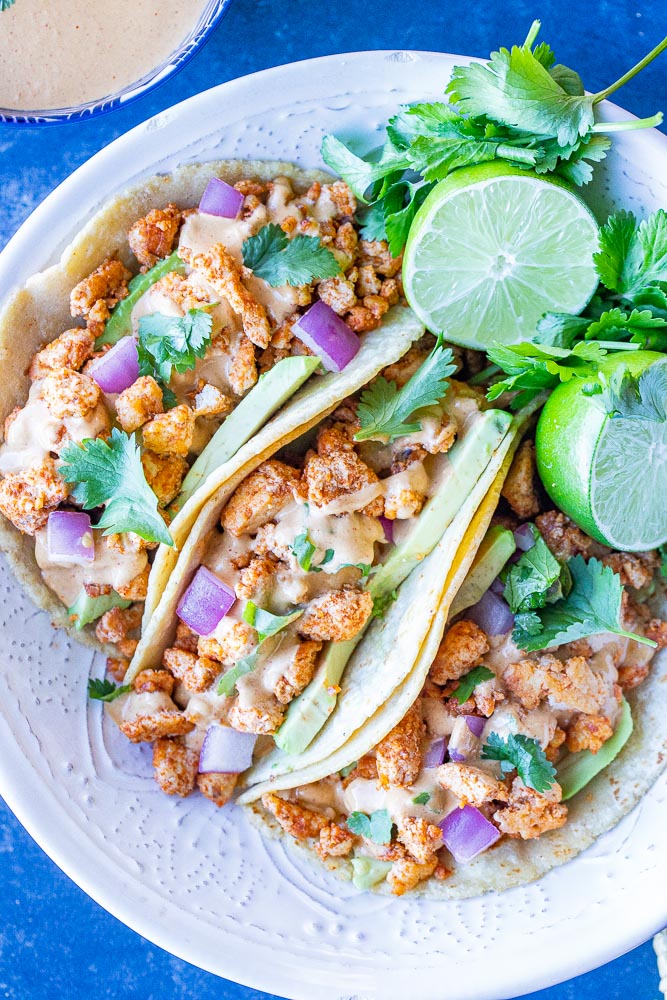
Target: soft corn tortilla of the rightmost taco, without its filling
(592,812)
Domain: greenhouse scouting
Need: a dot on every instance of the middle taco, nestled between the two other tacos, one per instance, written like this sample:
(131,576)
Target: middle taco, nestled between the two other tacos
(289,563)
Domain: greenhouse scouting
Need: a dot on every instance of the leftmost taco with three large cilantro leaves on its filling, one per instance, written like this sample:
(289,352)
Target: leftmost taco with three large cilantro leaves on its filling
(140,408)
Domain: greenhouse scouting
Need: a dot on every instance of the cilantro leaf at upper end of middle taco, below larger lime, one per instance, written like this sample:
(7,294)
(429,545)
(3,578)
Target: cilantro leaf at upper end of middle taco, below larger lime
(383,409)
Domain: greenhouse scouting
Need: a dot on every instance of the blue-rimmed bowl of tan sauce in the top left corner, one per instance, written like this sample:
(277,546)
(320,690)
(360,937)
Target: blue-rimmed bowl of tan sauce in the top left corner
(66,60)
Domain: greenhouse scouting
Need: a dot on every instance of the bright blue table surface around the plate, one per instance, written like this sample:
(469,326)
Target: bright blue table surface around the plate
(54,941)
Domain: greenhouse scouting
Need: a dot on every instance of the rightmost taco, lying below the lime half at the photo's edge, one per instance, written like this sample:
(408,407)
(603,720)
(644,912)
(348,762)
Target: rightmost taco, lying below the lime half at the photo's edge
(521,732)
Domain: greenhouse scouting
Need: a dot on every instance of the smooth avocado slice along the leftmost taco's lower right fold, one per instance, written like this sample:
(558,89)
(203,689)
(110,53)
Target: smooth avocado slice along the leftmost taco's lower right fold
(273,389)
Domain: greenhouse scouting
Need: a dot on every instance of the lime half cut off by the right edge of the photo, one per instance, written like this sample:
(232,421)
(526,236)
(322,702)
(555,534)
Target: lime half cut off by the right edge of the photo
(609,476)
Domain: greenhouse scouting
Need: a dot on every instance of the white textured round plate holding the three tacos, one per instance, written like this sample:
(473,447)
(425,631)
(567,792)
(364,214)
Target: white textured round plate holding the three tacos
(199,882)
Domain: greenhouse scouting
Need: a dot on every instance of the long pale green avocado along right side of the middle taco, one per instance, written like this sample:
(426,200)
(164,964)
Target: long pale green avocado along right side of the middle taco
(468,458)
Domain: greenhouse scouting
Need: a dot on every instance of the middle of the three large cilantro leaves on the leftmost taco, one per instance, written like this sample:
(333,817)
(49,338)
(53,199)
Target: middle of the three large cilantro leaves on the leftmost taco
(172,342)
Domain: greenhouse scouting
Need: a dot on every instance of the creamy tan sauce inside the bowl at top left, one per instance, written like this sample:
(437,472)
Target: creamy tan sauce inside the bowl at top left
(61,53)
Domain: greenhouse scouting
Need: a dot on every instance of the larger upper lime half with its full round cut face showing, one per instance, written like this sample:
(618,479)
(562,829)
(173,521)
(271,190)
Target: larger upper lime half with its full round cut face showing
(494,247)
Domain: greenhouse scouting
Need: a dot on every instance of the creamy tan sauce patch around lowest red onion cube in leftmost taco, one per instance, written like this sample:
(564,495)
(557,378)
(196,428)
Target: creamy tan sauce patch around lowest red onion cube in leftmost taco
(110,566)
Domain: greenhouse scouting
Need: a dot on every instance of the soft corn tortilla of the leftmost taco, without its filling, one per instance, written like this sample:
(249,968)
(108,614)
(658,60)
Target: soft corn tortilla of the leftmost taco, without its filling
(37,313)
